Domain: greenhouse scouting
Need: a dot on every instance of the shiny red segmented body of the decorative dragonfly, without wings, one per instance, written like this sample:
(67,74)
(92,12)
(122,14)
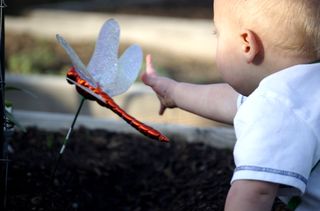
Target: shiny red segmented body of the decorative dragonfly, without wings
(108,102)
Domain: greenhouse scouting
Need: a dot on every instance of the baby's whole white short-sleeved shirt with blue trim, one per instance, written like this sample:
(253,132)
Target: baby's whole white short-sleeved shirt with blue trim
(278,134)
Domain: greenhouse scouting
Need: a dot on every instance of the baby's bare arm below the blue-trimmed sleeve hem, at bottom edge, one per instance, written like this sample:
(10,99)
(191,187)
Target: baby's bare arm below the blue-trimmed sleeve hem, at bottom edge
(251,195)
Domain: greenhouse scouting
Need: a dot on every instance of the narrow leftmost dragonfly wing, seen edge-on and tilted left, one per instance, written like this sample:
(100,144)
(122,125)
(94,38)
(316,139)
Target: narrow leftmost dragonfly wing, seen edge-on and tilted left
(76,61)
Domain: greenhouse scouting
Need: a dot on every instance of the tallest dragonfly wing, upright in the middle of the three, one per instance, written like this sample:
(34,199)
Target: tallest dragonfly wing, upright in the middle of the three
(103,63)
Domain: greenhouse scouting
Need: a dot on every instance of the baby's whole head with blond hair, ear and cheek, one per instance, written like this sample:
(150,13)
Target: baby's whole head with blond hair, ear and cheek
(256,38)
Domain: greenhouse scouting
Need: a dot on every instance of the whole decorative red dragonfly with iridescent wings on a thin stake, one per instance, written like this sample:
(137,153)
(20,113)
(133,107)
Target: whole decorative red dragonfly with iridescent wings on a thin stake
(107,76)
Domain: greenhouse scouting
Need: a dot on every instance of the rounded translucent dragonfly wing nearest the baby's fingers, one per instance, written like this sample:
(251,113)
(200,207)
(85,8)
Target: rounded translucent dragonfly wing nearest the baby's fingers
(129,66)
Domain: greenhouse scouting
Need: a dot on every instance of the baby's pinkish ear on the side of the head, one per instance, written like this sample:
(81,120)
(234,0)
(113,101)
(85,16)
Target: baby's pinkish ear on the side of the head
(251,45)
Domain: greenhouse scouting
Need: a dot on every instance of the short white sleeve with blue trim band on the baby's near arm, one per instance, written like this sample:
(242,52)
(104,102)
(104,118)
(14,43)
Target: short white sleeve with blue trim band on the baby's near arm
(273,144)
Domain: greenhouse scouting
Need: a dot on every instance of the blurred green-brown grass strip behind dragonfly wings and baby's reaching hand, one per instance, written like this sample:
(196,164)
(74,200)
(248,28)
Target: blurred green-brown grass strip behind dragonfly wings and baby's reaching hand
(26,54)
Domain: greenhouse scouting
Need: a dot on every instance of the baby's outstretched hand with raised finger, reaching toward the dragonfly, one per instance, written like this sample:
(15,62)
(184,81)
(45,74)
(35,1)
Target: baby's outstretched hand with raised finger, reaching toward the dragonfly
(162,86)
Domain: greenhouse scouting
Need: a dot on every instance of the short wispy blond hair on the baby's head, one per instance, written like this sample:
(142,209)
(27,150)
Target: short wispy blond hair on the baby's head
(291,25)
